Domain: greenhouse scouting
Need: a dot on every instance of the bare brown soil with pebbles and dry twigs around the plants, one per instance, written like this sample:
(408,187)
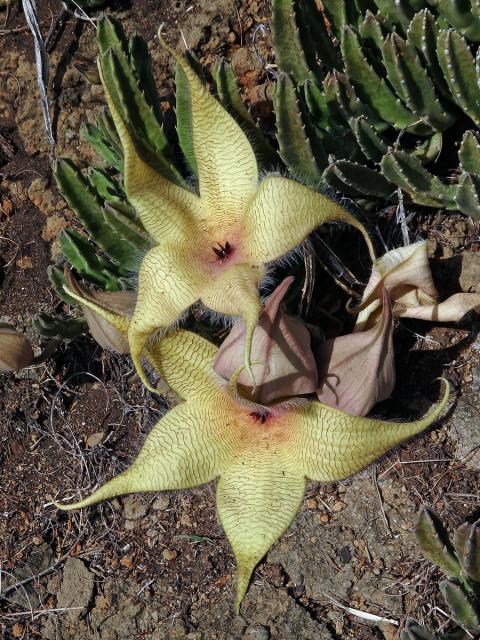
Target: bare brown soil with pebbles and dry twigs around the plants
(159,566)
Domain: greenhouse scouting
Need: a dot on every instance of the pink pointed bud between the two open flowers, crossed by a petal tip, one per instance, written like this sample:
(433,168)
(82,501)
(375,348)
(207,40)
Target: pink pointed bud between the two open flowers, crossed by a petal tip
(282,358)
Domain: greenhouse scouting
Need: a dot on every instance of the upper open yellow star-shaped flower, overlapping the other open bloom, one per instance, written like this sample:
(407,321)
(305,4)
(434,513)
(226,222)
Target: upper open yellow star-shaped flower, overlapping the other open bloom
(211,245)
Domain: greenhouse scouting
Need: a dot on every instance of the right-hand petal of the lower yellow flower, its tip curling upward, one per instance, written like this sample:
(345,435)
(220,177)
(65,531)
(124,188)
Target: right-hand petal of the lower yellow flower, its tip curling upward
(331,445)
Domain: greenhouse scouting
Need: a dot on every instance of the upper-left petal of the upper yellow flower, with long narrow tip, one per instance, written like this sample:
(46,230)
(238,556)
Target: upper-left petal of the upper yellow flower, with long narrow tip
(165,209)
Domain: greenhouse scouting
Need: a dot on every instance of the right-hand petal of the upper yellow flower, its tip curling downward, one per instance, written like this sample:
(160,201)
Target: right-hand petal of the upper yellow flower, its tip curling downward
(283,213)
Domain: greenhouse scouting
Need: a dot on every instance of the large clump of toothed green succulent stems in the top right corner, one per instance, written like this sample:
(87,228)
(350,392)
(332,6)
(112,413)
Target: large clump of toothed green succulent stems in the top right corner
(376,96)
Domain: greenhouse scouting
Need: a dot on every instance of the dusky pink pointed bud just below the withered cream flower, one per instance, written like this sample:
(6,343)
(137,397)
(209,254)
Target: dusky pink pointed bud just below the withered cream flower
(358,370)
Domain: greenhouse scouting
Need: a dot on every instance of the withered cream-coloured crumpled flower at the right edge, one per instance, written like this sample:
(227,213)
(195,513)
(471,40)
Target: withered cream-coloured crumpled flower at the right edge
(405,274)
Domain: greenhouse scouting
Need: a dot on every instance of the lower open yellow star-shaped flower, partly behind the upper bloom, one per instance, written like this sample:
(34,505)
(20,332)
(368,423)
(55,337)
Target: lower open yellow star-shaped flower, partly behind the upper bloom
(260,455)
